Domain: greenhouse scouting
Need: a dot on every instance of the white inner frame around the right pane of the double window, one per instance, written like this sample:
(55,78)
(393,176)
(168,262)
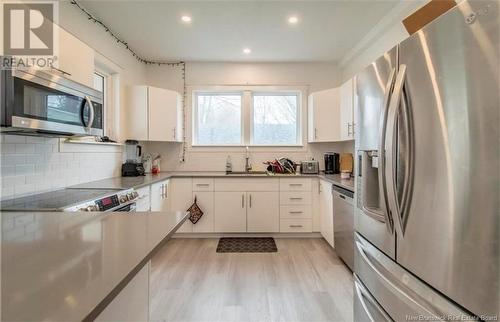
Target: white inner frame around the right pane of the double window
(298,129)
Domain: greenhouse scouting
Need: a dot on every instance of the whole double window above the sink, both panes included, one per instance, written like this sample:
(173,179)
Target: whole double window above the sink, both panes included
(247,115)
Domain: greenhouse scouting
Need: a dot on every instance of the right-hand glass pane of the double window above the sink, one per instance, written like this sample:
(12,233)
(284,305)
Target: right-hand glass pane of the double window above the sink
(275,119)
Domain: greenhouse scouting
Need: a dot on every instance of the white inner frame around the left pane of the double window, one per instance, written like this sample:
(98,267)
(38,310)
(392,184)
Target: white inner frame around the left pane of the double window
(195,117)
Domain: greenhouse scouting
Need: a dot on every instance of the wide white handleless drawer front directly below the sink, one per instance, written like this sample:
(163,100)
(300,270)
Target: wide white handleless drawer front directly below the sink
(247,184)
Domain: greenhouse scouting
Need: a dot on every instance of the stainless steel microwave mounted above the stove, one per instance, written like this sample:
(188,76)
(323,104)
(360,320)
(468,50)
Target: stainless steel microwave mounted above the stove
(39,103)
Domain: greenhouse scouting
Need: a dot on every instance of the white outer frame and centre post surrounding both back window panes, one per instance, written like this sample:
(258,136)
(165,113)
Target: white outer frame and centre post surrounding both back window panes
(247,92)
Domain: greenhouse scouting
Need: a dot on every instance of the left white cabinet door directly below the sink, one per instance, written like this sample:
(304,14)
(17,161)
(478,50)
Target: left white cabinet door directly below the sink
(230,212)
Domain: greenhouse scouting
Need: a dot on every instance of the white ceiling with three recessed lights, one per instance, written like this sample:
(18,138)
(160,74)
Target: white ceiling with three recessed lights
(220,30)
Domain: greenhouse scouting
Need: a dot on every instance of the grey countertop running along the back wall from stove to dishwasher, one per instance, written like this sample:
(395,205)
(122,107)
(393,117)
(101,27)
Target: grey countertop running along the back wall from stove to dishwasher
(137,182)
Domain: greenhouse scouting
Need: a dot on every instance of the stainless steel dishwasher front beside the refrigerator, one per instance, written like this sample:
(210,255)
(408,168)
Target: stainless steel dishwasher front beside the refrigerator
(343,223)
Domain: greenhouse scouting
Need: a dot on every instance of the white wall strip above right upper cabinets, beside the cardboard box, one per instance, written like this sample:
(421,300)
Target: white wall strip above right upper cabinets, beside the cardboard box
(386,34)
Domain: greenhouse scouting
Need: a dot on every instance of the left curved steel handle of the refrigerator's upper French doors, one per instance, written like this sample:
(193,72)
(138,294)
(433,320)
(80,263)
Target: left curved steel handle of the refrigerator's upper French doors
(381,152)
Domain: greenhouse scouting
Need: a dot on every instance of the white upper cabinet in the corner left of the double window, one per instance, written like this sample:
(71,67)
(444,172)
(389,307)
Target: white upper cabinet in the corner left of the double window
(154,114)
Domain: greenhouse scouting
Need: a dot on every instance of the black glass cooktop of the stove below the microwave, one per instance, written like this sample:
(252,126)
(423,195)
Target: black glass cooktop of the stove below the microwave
(54,200)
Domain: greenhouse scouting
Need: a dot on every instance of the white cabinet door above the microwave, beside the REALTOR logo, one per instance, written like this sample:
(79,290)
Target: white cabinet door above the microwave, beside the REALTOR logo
(76,59)
